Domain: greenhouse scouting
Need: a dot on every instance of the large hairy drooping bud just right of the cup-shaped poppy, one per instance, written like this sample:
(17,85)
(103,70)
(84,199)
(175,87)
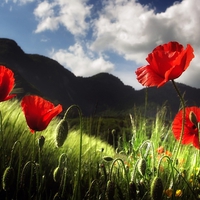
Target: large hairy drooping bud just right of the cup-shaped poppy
(61,132)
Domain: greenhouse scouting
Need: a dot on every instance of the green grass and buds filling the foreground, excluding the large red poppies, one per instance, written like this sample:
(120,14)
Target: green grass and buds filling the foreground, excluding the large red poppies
(133,170)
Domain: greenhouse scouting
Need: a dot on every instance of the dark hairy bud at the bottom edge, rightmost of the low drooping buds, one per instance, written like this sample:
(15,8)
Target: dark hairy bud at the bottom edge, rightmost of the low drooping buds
(157,189)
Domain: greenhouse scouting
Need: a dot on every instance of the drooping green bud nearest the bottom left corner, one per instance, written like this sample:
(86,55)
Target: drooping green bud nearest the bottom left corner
(8,178)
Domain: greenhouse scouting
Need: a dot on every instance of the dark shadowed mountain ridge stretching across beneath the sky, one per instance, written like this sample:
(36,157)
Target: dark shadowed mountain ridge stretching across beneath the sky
(99,94)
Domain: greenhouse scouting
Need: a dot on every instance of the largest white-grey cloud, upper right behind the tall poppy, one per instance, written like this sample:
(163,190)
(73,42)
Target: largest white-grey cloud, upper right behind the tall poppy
(132,31)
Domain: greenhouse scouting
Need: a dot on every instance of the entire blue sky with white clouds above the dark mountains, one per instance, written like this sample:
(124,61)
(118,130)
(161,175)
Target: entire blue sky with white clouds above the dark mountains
(92,36)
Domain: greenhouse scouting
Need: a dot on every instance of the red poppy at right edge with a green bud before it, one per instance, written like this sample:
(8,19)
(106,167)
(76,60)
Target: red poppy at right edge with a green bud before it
(190,135)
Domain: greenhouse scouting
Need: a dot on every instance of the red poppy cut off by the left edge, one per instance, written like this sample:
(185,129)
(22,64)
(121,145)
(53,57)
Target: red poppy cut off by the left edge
(7,82)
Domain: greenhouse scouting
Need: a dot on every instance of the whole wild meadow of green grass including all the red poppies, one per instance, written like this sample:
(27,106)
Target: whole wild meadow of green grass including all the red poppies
(46,156)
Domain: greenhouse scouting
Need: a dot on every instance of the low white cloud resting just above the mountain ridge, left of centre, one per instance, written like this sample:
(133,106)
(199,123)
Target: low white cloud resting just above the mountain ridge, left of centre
(80,63)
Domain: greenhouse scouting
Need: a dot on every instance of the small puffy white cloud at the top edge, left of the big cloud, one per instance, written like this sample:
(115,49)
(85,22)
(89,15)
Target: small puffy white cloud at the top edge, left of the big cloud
(70,14)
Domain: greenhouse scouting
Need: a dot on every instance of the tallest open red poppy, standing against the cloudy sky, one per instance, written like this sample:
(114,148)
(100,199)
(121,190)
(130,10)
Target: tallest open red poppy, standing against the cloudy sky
(166,62)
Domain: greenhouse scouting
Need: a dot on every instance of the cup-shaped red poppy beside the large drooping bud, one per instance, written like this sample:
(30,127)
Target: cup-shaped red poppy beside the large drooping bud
(38,112)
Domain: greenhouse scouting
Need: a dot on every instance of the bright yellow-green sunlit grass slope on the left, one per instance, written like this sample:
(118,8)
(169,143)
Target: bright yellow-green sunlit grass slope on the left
(14,128)
